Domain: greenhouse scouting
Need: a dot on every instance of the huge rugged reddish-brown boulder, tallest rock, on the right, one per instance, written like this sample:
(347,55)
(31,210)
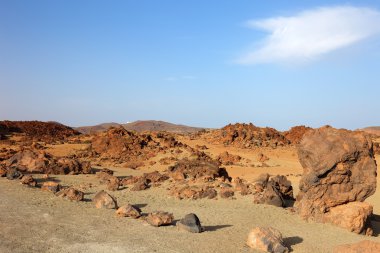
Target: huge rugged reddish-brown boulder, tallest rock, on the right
(339,168)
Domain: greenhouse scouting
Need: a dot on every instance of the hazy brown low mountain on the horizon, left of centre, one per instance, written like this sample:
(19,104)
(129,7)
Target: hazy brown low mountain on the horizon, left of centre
(142,126)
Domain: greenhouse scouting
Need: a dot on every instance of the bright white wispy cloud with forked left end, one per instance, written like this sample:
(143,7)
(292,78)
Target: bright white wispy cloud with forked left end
(312,33)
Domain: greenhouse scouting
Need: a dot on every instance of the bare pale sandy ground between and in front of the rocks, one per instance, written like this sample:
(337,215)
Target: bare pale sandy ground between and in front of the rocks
(35,221)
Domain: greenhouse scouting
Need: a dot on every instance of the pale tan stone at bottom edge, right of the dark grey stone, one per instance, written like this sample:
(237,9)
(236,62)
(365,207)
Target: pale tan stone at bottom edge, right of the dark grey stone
(266,239)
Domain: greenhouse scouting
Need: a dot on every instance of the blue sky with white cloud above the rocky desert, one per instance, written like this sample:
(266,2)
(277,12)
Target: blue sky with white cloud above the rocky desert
(202,63)
